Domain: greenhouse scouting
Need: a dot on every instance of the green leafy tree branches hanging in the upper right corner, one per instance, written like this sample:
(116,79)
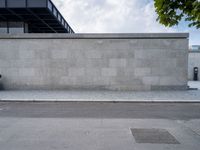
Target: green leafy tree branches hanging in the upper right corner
(171,12)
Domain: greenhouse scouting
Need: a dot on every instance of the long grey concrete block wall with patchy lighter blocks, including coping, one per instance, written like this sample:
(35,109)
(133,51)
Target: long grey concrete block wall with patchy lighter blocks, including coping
(94,61)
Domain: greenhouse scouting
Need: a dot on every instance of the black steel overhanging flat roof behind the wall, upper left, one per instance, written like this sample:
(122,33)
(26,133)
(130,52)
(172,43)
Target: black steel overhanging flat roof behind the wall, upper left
(41,15)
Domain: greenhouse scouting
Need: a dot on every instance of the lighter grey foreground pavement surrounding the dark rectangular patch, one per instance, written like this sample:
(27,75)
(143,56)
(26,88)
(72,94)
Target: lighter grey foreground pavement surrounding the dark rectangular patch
(90,134)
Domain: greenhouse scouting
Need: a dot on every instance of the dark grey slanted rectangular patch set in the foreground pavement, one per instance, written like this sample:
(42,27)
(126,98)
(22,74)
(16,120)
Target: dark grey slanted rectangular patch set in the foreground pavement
(155,136)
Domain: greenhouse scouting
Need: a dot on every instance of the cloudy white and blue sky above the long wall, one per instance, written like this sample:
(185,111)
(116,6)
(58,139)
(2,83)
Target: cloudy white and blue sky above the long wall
(117,16)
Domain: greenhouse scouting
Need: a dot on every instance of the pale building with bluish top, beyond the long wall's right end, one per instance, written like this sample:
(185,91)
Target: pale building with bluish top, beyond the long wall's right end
(193,61)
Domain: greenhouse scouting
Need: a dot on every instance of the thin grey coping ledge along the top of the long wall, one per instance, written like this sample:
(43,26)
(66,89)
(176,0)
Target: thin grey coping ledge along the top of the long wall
(96,36)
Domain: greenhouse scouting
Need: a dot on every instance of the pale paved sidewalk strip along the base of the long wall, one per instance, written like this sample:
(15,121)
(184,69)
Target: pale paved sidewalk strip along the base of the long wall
(105,96)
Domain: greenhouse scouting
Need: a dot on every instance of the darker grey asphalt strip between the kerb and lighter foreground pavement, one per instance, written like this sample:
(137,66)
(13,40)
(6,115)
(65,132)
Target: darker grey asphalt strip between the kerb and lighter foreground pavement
(173,111)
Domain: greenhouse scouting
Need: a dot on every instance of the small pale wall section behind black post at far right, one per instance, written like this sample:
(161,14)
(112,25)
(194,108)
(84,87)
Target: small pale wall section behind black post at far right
(194,61)
